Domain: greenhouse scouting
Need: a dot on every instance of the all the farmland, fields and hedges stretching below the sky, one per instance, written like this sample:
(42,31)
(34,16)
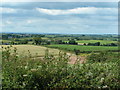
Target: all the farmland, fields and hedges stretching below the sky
(33,61)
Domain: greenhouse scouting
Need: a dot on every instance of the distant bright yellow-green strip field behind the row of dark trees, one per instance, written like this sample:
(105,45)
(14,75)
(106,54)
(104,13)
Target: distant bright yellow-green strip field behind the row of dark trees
(94,41)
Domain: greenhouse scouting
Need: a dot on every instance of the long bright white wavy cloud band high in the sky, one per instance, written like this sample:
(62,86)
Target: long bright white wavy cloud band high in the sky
(82,10)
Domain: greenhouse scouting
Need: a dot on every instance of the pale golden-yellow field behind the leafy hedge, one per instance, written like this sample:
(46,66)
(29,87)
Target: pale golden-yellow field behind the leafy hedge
(39,50)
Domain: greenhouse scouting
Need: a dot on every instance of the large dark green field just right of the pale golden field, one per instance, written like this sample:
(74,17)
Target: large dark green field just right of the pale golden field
(83,48)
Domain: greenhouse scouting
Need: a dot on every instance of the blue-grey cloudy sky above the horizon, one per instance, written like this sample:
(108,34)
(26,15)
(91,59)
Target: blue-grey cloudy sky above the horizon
(60,17)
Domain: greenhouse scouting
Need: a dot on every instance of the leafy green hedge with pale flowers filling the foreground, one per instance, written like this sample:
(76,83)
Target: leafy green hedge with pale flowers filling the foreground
(55,72)
